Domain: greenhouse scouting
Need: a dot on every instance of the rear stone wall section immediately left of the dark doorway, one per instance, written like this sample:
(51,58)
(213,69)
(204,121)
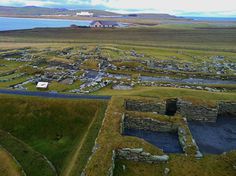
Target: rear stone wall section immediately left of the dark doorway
(145,106)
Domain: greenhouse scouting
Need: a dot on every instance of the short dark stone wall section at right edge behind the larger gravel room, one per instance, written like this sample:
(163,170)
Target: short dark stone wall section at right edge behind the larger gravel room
(227,108)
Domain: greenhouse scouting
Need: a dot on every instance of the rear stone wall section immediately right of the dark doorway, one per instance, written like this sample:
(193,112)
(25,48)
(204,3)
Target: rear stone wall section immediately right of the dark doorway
(197,112)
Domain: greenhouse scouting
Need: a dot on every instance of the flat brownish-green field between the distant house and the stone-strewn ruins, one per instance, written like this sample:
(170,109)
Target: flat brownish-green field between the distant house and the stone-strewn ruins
(206,39)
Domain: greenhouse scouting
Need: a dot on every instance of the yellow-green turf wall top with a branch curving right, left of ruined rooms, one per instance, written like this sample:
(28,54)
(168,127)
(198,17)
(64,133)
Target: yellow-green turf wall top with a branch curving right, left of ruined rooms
(110,138)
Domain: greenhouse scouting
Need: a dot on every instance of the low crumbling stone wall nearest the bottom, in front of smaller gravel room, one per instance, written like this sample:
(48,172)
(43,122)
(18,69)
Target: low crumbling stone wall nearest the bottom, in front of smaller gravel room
(139,155)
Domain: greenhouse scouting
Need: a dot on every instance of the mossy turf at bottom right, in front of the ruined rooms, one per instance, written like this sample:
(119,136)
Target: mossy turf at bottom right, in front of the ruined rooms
(210,165)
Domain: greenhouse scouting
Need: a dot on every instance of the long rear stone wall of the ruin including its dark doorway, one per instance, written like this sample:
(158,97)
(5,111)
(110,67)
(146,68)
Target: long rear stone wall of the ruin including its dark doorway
(187,109)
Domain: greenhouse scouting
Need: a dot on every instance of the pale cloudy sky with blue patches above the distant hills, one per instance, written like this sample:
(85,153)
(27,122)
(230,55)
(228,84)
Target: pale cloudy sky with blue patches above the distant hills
(210,8)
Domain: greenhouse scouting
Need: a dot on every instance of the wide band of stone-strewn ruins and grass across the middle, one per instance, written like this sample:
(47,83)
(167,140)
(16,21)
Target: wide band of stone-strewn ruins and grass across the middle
(87,69)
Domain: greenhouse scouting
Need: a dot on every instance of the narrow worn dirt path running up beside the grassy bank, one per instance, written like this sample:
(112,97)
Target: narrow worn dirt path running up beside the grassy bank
(72,163)
